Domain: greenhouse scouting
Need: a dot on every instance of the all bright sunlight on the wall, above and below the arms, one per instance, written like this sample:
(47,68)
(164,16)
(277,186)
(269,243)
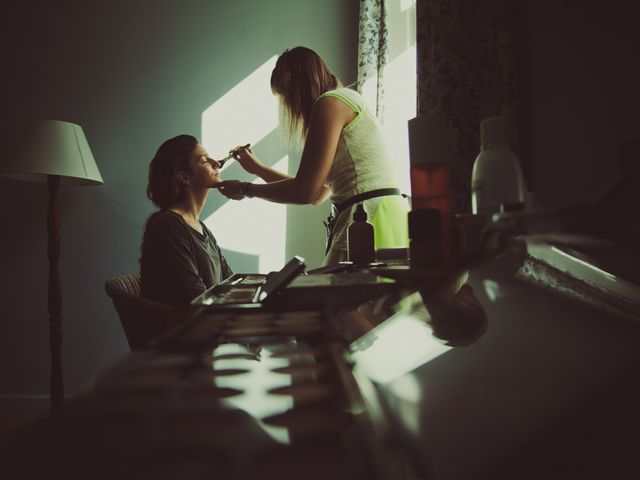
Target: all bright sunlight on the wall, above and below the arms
(246,114)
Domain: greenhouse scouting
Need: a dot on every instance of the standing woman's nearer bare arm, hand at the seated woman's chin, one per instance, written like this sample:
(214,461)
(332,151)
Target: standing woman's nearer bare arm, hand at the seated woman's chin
(328,117)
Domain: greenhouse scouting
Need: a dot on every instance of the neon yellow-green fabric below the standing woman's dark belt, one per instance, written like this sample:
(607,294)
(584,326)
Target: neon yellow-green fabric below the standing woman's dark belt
(390,223)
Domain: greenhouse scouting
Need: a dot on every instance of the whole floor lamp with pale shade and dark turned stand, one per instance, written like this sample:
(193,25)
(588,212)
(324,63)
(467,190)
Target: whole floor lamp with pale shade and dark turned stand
(57,153)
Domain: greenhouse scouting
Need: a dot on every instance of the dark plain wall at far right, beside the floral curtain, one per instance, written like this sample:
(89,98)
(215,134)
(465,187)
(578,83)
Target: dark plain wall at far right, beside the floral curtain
(580,95)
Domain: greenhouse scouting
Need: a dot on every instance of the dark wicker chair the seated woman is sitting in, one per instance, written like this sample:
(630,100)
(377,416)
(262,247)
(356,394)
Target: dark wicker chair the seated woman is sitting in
(142,320)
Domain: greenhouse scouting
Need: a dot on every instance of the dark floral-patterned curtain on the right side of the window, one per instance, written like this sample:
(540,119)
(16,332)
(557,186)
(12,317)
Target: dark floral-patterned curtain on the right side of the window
(466,72)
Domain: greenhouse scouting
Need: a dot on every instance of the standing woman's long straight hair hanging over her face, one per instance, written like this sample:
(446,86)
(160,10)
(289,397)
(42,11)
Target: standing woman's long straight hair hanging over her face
(299,78)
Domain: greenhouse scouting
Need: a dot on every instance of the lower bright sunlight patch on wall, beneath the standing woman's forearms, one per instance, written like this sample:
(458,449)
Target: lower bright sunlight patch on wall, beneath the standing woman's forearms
(253,226)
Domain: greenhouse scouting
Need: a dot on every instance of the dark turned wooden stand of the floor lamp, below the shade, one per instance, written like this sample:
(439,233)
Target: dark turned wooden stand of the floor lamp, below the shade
(56,386)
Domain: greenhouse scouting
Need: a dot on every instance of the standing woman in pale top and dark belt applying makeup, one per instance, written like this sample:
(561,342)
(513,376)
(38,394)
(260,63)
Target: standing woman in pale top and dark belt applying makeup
(344,155)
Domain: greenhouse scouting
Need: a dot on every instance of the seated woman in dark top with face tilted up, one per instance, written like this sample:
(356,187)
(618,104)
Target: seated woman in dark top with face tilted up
(180,256)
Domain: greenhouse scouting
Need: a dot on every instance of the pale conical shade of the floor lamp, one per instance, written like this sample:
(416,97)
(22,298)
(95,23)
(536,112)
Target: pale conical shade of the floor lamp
(53,147)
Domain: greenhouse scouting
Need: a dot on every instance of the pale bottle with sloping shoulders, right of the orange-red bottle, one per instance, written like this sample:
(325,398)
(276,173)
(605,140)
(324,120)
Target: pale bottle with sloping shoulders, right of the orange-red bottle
(497,183)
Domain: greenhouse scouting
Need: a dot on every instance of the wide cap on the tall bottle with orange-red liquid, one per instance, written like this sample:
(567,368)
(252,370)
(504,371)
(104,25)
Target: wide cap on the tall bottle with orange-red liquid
(428,140)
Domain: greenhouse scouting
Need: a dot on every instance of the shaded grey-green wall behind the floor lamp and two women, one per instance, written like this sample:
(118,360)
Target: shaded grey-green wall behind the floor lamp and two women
(132,74)
